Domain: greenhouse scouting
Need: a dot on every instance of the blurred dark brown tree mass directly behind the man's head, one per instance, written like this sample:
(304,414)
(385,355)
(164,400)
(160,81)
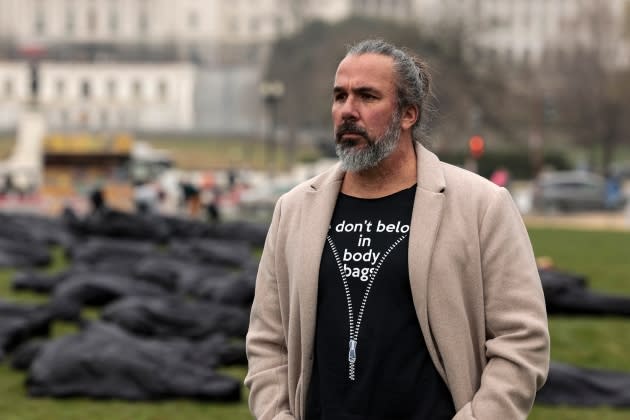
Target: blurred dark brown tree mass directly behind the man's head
(306,64)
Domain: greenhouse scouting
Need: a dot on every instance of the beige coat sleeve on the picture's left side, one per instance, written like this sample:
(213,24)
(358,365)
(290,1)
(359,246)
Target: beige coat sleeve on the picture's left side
(266,342)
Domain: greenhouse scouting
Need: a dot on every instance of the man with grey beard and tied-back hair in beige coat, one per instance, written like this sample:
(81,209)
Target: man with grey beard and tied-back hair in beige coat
(394,286)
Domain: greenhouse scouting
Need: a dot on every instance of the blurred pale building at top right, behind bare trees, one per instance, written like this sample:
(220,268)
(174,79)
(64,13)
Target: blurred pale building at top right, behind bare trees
(531,32)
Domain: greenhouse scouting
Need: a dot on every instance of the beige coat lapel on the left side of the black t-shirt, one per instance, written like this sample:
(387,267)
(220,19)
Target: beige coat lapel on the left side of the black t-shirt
(317,211)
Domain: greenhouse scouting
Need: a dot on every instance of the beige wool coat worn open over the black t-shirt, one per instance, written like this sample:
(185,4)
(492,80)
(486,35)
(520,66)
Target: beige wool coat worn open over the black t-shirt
(473,278)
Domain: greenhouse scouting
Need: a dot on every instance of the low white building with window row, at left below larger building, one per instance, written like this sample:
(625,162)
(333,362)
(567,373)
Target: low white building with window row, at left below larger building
(101,96)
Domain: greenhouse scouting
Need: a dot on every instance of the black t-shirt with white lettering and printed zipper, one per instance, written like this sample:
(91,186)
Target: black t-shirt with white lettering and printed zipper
(371,361)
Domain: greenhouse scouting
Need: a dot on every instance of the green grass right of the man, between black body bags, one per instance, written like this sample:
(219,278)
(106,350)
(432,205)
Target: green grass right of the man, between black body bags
(604,257)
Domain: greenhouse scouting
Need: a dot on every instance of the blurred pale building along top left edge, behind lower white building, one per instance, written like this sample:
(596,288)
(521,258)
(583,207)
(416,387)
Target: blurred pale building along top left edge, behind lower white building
(145,21)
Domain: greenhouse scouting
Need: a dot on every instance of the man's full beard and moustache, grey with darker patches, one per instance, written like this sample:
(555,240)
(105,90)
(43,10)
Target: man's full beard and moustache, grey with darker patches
(357,159)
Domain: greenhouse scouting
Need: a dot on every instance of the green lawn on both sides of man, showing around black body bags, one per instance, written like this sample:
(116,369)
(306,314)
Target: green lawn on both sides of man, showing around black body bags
(589,342)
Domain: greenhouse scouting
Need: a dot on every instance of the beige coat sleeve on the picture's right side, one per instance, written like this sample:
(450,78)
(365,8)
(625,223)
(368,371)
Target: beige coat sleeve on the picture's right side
(517,336)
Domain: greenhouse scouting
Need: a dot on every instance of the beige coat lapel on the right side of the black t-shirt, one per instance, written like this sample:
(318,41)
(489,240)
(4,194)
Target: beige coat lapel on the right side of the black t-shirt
(425,224)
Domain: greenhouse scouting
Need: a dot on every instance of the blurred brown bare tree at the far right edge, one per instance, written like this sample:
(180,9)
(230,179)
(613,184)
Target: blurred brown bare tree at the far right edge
(592,88)
